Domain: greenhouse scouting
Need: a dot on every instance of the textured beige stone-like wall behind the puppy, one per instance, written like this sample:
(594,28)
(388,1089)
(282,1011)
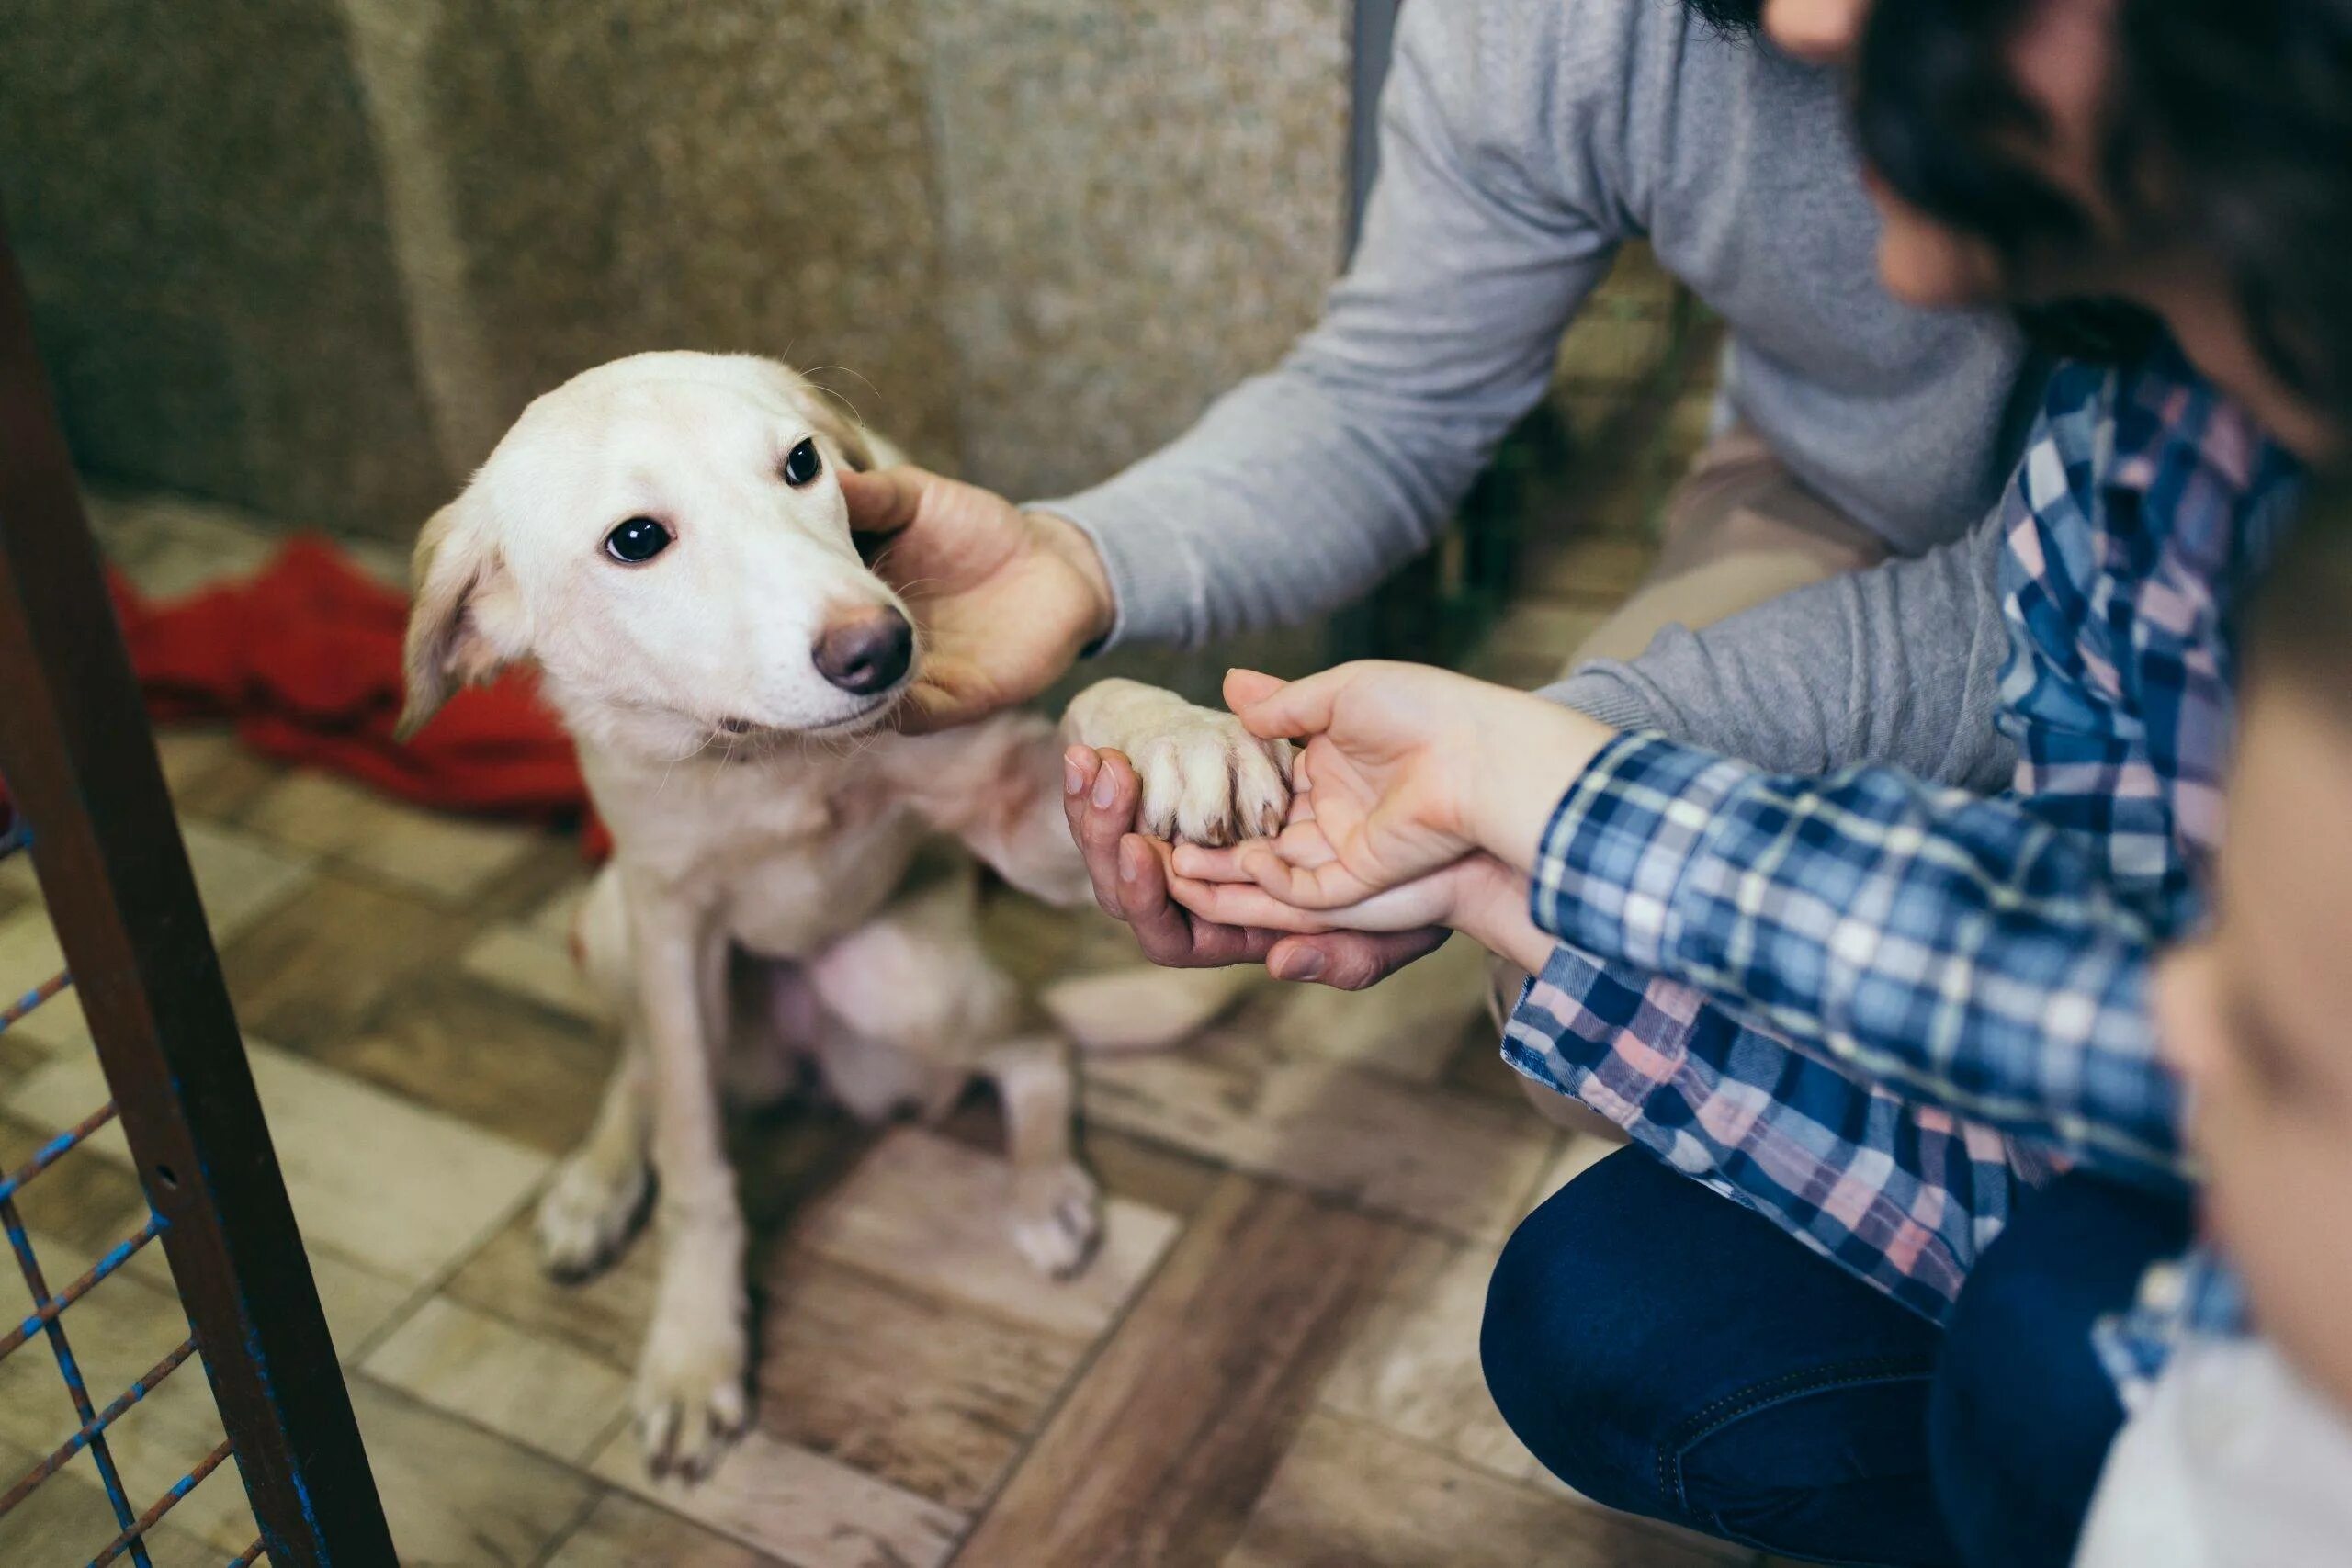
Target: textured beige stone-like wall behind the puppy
(314,255)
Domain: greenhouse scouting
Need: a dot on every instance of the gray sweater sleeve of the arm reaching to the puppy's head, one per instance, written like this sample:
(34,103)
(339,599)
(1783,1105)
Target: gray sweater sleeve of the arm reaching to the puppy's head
(1302,488)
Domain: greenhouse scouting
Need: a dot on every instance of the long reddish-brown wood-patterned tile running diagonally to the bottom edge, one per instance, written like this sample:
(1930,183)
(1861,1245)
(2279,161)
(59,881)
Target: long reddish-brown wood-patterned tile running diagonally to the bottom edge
(1163,1447)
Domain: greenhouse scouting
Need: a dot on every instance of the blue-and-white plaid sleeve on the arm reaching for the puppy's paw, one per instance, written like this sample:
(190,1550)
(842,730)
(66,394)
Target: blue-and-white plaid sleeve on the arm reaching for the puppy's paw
(1944,946)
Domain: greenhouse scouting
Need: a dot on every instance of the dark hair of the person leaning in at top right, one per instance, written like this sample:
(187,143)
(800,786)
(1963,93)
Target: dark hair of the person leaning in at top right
(2229,123)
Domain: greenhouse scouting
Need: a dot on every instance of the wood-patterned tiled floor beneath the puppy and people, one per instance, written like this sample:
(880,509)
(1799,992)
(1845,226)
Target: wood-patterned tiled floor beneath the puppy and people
(1271,1362)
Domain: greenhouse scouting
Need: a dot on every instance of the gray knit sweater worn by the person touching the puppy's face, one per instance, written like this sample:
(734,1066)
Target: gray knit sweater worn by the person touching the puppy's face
(1521,142)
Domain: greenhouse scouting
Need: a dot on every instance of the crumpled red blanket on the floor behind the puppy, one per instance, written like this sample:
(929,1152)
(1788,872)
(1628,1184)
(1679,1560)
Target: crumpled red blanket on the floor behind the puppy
(305,659)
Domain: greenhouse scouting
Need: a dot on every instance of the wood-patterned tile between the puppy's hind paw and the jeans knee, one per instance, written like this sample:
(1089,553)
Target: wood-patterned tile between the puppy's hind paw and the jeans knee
(1426,1153)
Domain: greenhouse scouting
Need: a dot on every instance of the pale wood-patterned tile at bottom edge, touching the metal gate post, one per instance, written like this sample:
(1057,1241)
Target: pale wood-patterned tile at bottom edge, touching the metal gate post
(460,1496)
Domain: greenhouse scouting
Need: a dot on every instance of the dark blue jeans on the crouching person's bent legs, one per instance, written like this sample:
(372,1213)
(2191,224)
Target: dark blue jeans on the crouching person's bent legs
(1676,1355)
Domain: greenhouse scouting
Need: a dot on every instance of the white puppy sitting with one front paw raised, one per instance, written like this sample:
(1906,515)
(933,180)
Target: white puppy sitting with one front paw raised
(664,537)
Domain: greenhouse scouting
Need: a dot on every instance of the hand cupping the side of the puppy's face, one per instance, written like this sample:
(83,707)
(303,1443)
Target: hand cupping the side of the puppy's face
(1005,601)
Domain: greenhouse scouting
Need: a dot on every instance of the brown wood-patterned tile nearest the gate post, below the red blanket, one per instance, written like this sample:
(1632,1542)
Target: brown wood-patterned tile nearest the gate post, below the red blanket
(309,972)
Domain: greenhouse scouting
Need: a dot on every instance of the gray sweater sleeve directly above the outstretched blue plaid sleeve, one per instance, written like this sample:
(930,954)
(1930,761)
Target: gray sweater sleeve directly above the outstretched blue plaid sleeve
(1892,666)
